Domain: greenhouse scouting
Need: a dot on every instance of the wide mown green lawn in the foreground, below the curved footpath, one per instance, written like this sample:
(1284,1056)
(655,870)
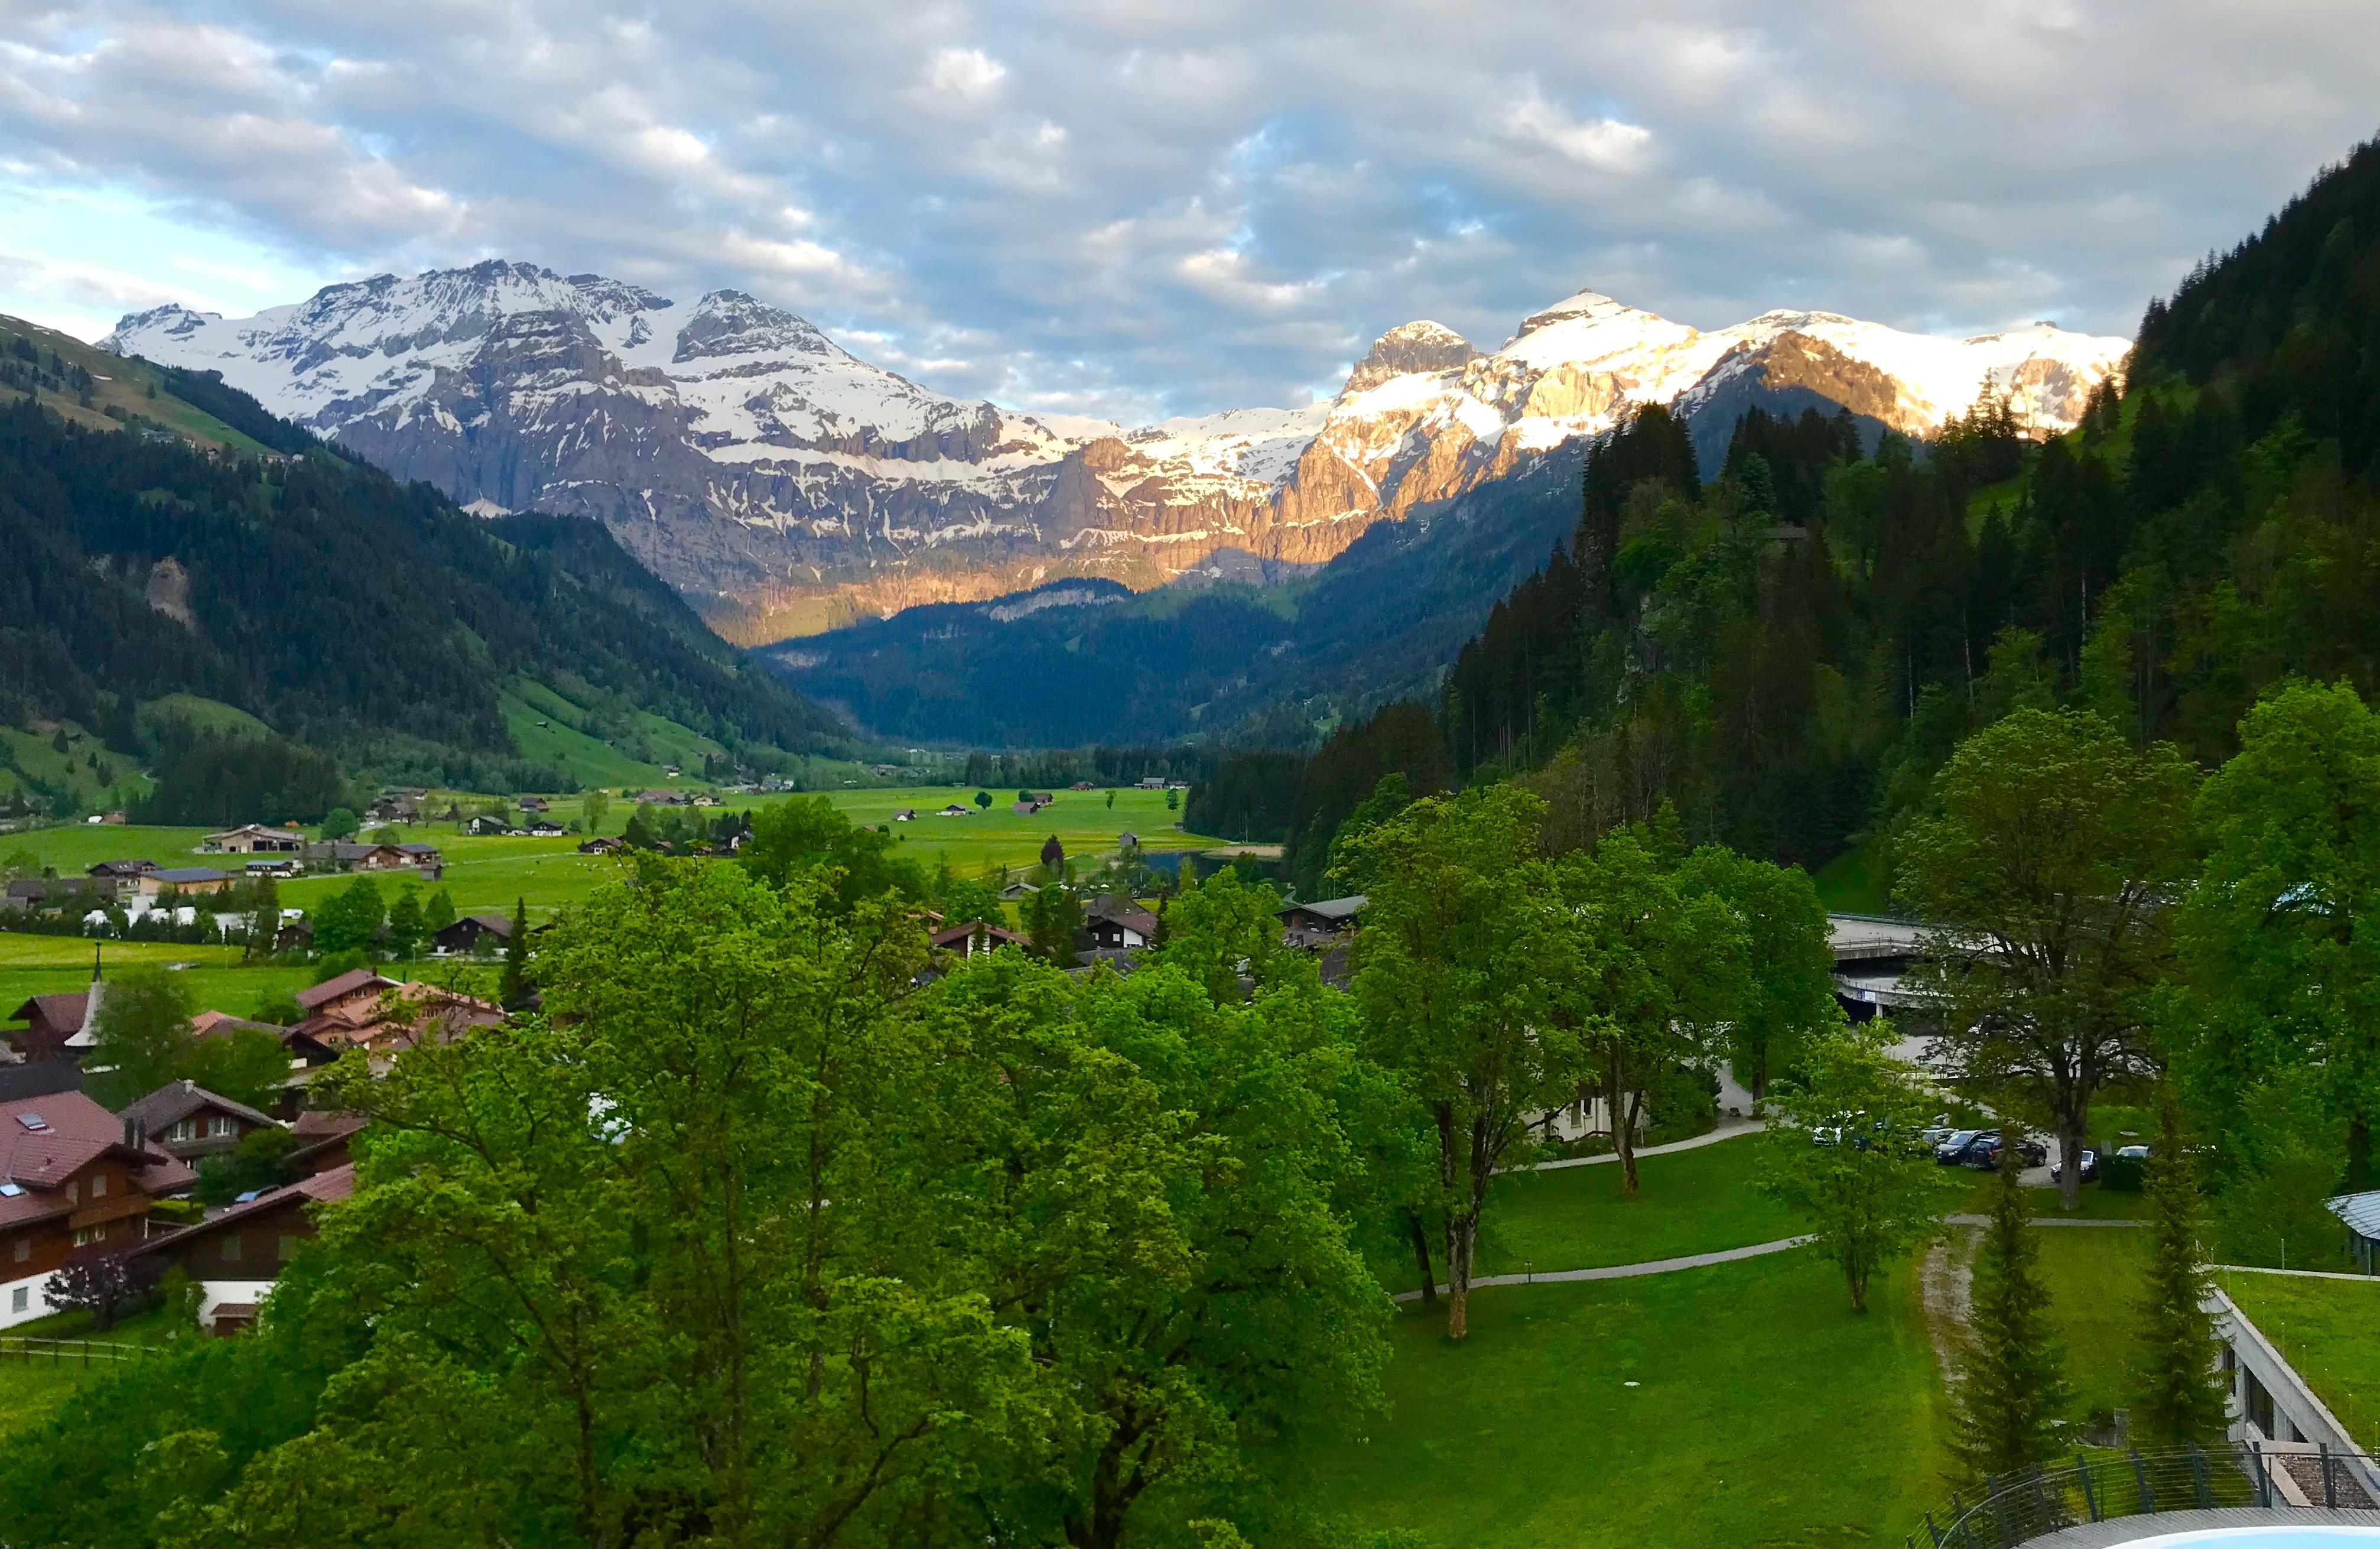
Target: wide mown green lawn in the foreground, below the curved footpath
(1765,1415)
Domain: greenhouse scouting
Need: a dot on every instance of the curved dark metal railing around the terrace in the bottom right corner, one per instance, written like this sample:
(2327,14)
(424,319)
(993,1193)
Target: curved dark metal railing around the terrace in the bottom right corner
(2041,1500)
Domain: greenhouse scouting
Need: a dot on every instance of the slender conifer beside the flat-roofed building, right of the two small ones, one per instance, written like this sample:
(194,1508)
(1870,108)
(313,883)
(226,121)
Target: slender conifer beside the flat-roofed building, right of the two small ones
(2179,1398)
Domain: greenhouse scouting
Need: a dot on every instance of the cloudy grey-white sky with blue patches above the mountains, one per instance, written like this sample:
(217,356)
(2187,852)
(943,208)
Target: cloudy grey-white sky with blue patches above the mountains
(1141,208)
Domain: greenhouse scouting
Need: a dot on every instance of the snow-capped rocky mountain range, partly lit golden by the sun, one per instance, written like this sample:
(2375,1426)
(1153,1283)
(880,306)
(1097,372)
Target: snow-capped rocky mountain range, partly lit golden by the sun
(789,487)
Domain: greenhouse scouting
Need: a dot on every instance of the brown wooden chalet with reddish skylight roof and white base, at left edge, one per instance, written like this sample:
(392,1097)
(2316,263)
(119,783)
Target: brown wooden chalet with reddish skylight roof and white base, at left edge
(73,1181)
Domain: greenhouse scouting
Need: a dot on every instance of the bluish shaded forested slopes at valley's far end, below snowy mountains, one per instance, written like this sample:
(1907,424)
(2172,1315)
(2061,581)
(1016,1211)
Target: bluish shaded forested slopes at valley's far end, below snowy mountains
(1086,663)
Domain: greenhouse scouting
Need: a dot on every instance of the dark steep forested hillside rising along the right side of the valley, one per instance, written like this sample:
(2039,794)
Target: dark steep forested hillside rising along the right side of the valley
(1791,648)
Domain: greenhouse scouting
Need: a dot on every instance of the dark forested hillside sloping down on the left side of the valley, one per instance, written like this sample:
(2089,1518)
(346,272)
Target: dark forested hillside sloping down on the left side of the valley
(344,610)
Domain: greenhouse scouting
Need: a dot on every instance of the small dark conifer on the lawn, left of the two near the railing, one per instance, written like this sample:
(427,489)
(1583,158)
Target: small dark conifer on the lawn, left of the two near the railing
(2015,1379)
